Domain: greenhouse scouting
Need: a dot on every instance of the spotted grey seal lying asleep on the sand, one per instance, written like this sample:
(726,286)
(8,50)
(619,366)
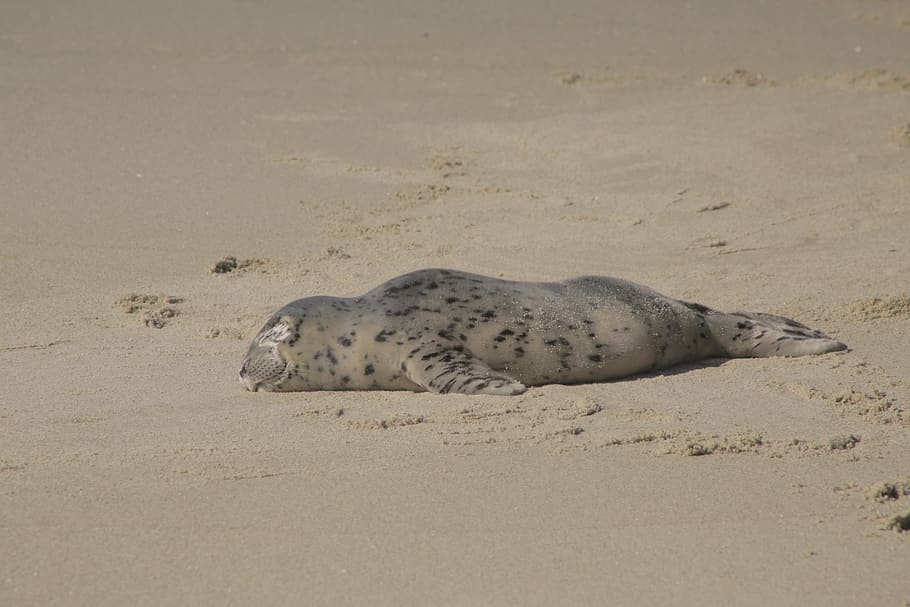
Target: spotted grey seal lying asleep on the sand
(448,331)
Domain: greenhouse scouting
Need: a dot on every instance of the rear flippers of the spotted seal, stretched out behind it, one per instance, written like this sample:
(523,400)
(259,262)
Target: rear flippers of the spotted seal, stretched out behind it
(754,334)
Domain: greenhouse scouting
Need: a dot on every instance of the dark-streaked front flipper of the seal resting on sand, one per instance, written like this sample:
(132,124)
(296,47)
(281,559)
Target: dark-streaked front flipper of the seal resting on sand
(445,367)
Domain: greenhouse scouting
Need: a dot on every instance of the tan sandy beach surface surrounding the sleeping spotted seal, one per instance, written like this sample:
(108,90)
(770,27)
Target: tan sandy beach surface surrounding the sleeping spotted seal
(740,154)
